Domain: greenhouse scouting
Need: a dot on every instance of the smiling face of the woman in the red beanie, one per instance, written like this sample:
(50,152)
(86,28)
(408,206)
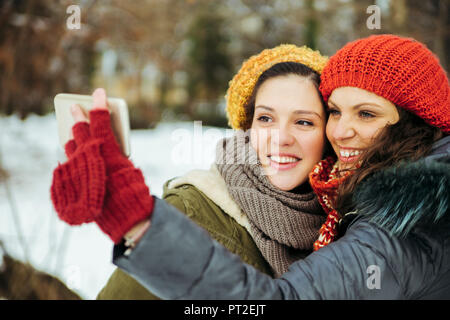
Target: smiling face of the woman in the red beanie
(356,117)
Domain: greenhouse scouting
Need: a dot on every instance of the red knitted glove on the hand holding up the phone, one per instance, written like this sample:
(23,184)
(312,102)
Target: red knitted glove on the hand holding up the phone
(97,169)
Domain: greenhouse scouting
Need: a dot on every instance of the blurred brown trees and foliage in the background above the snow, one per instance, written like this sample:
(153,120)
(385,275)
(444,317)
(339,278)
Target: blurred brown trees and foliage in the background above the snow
(173,59)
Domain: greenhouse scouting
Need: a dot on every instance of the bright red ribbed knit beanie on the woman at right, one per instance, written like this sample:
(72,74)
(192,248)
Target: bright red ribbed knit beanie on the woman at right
(401,70)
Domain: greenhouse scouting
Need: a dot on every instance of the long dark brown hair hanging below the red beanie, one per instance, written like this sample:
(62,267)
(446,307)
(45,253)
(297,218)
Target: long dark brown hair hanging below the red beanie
(409,139)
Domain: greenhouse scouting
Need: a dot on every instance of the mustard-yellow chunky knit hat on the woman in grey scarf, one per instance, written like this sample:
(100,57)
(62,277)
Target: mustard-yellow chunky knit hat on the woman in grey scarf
(241,86)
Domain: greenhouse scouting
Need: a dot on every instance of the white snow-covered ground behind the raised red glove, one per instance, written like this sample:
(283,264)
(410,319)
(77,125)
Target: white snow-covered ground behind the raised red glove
(80,256)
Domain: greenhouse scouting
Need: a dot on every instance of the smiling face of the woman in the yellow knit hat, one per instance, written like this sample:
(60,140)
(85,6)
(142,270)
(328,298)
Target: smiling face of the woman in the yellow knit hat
(288,129)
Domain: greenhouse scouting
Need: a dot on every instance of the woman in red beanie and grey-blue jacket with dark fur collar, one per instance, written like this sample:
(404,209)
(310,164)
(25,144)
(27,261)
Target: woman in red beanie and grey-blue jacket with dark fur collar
(387,195)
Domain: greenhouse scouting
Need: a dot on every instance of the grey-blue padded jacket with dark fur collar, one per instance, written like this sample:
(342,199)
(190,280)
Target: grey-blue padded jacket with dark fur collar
(397,247)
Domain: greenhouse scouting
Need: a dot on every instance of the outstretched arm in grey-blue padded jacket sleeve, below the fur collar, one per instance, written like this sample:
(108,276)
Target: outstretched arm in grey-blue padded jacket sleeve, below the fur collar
(176,259)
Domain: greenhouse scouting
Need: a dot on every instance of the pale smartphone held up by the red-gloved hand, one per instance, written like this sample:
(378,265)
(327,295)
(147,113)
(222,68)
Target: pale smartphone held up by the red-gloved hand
(117,108)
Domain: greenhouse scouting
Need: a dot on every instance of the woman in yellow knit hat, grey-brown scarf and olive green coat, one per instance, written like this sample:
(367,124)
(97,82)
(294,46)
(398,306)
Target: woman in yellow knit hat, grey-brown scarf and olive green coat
(256,199)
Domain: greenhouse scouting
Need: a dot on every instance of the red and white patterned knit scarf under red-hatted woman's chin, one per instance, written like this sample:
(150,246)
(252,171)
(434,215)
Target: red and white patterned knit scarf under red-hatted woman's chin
(324,180)
